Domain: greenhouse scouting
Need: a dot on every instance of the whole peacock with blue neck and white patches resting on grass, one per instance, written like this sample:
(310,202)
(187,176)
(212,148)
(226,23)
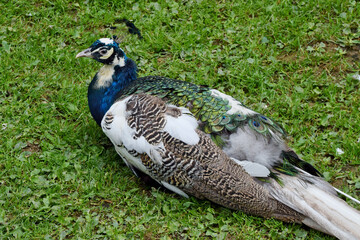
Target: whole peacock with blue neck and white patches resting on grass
(194,140)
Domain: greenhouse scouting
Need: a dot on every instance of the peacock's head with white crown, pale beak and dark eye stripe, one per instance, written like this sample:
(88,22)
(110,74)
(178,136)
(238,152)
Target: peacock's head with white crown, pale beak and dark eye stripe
(106,51)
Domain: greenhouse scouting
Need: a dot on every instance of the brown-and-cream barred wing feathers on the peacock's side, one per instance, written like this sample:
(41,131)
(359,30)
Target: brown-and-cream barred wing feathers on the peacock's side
(202,170)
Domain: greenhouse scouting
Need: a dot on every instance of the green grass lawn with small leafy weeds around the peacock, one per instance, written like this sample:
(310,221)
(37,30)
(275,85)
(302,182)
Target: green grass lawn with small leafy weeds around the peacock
(59,175)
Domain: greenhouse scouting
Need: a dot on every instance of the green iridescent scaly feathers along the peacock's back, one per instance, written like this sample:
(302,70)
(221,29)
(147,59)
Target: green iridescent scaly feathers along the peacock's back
(210,110)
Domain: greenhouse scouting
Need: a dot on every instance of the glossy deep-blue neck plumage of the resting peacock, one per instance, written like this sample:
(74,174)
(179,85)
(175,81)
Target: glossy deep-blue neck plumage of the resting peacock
(100,98)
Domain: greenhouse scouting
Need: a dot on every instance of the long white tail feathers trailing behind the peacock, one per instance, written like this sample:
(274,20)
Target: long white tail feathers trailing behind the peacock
(324,211)
